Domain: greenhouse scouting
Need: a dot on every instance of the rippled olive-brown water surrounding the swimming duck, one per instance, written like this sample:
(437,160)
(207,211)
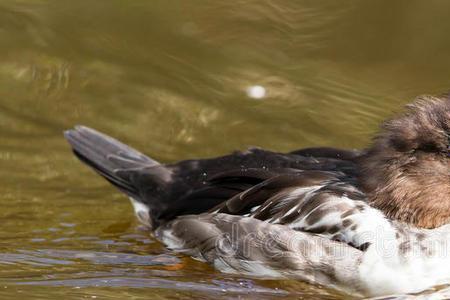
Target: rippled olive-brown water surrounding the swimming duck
(182,79)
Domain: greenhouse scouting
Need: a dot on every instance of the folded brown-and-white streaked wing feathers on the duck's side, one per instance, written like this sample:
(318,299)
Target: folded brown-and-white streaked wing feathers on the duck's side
(319,202)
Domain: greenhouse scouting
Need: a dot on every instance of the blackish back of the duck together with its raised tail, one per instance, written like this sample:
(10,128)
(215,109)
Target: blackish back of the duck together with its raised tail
(166,191)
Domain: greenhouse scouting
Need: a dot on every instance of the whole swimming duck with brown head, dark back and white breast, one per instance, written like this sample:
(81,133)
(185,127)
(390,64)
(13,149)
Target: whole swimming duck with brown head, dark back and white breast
(368,222)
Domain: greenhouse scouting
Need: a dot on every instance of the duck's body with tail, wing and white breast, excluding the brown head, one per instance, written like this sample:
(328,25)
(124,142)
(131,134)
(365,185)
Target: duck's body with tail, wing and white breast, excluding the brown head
(304,214)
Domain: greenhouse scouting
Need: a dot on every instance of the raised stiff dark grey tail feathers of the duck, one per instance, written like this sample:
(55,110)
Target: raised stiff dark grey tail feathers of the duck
(107,156)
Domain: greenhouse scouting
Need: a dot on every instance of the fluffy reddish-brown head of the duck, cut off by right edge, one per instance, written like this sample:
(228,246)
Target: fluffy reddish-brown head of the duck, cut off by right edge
(406,172)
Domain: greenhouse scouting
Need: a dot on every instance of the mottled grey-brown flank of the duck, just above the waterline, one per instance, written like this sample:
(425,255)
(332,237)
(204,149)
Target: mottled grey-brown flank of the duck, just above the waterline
(236,244)
